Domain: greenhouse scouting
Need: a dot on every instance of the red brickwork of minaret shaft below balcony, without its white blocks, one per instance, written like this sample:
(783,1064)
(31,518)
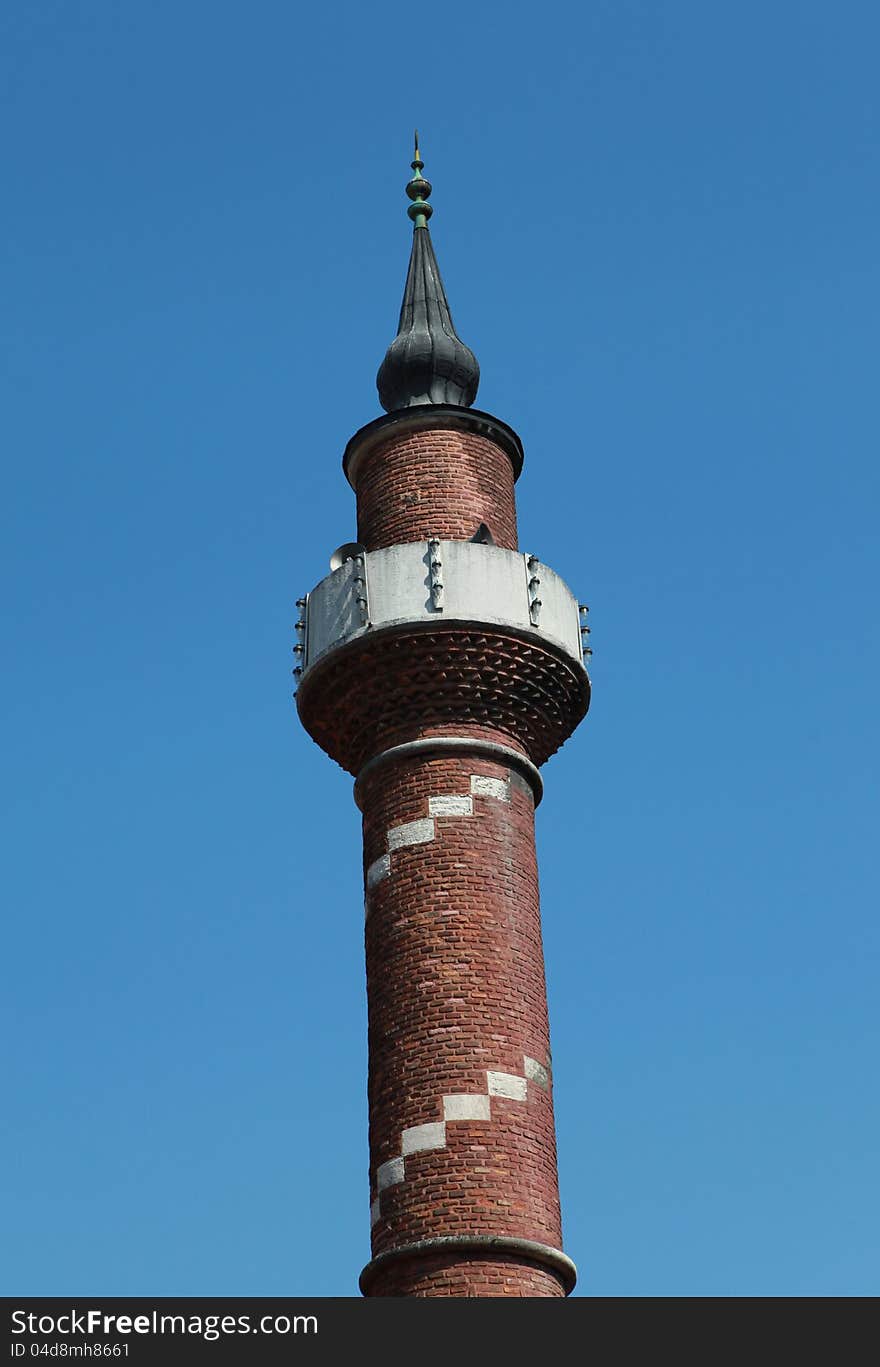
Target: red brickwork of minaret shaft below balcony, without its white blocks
(456,986)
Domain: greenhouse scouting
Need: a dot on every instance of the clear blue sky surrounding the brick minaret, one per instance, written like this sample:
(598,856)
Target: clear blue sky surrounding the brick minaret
(658,226)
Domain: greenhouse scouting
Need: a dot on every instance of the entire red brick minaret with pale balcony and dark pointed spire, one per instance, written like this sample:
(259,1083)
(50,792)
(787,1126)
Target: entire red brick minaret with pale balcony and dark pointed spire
(441,666)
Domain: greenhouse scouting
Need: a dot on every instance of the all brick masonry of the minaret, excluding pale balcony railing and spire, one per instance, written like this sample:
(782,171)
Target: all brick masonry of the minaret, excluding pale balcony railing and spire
(463,1141)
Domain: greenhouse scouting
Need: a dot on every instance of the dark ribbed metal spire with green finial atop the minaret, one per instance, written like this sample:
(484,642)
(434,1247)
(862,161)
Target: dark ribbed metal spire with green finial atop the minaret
(427,363)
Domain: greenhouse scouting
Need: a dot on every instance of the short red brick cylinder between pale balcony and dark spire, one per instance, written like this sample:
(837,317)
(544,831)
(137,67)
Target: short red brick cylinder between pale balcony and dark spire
(435,483)
